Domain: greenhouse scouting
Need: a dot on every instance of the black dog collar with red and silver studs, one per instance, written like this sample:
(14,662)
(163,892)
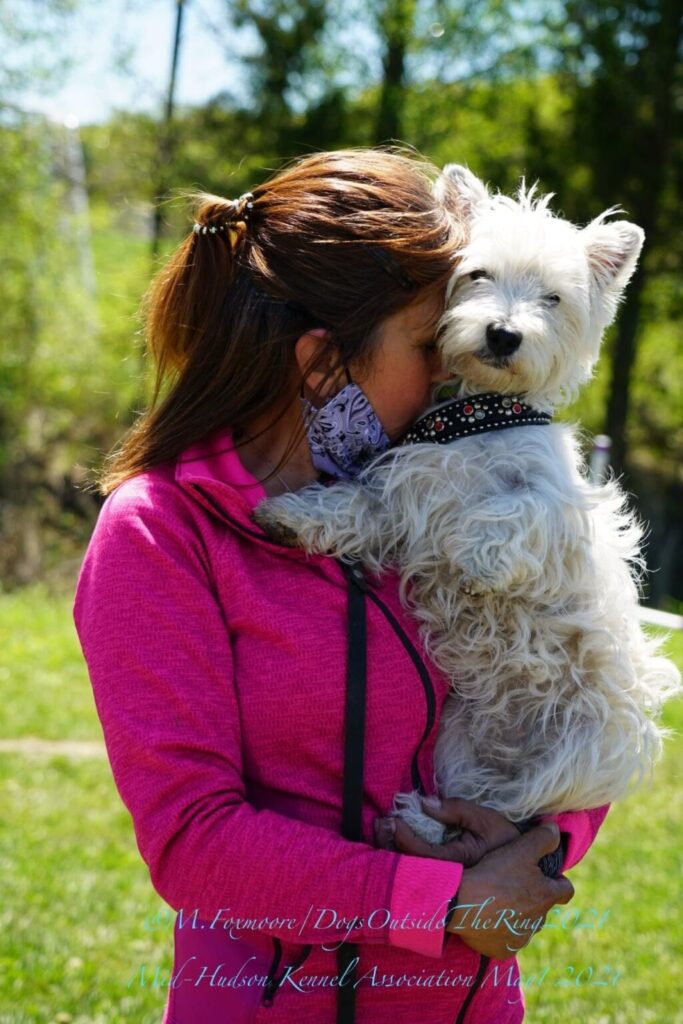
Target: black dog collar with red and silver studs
(476,415)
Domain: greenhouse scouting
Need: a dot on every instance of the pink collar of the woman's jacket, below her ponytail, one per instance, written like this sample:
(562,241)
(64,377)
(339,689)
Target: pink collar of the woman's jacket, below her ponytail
(212,474)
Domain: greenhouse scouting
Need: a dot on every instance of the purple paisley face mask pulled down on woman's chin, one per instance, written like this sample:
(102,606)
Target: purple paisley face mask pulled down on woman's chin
(345,434)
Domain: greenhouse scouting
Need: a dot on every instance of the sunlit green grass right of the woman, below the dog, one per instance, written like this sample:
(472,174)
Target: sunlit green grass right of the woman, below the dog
(632,876)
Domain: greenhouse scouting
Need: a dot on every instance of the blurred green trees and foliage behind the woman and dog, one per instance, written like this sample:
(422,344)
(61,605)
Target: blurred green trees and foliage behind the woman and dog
(574,95)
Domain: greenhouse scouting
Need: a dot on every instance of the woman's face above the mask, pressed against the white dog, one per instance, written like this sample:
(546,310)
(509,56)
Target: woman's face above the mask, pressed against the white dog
(405,366)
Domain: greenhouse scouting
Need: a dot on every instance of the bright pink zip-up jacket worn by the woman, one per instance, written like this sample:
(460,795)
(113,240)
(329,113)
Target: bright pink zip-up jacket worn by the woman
(219,660)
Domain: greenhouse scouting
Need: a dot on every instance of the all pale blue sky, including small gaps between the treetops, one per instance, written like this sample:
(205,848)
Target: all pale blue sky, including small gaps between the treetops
(121,56)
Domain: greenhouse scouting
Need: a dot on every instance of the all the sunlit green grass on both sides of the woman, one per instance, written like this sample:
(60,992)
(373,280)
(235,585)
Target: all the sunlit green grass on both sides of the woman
(79,915)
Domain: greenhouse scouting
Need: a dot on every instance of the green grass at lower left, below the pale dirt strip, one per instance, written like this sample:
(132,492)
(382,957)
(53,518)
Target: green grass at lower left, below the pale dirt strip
(78,899)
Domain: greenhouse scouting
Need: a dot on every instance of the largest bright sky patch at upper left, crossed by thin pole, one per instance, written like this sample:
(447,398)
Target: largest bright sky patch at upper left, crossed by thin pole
(104,30)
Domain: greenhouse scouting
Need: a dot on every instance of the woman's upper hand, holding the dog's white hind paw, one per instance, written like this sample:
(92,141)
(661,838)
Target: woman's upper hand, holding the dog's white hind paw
(483,831)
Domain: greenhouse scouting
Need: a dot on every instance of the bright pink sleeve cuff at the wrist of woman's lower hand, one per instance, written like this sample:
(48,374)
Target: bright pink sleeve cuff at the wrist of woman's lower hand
(420,897)
